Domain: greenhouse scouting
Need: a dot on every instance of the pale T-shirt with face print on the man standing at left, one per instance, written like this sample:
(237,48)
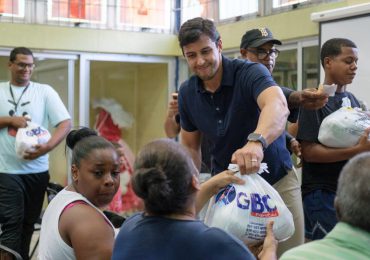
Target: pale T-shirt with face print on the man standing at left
(43,104)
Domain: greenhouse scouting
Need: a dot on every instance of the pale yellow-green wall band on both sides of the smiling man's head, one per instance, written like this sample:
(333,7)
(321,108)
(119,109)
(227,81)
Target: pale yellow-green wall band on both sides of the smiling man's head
(286,26)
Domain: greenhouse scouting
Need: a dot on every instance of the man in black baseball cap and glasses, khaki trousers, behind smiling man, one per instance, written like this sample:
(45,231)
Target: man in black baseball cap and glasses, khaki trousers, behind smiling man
(258,45)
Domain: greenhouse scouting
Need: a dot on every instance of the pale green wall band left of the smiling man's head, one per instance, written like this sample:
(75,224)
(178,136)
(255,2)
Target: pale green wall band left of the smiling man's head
(90,40)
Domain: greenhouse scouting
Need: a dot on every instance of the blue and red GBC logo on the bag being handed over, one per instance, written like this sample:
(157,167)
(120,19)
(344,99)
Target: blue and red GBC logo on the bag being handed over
(260,205)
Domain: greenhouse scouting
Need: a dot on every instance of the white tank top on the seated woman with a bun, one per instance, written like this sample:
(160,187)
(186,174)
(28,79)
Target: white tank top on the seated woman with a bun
(52,246)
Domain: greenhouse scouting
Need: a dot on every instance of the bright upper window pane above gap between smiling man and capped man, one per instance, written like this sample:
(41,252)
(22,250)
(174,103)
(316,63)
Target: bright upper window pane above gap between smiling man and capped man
(233,8)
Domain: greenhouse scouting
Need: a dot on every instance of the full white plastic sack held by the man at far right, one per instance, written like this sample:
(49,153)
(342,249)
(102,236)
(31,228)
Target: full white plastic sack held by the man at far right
(343,127)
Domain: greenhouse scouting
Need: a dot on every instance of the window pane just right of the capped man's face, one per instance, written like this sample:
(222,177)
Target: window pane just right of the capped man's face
(285,72)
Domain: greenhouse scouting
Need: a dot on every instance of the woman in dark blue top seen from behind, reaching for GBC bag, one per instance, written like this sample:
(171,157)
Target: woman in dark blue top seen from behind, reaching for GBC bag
(166,179)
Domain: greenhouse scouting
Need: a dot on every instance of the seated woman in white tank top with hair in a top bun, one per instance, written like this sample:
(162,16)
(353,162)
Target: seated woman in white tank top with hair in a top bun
(73,226)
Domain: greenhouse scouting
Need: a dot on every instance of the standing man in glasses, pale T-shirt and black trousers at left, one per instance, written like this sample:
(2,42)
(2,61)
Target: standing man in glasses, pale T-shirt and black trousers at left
(23,181)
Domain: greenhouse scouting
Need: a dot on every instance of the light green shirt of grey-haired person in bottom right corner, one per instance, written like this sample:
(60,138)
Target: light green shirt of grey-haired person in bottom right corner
(343,242)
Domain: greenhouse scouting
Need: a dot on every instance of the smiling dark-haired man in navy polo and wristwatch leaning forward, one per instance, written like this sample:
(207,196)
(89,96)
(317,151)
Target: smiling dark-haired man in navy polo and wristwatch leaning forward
(234,103)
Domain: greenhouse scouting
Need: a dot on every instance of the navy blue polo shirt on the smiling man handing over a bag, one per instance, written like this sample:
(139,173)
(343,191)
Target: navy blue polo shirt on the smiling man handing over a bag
(229,115)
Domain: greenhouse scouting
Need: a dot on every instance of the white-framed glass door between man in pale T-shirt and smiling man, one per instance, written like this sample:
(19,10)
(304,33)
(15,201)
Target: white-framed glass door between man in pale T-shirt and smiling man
(138,84)
